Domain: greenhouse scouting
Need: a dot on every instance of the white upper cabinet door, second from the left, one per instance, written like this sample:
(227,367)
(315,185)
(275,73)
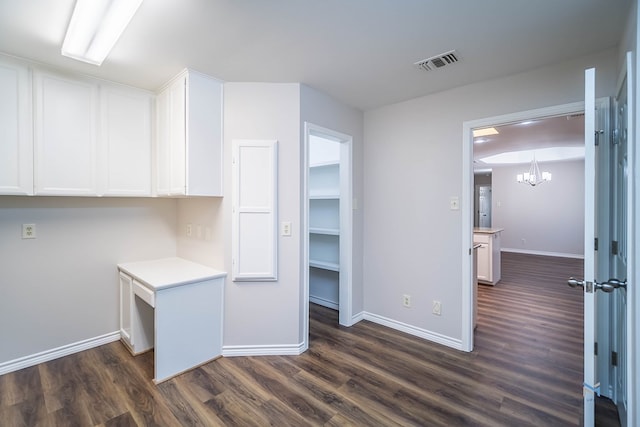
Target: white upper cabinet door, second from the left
(65,135)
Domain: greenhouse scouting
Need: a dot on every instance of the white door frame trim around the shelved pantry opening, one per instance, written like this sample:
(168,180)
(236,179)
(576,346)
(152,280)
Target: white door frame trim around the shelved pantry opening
(345,302)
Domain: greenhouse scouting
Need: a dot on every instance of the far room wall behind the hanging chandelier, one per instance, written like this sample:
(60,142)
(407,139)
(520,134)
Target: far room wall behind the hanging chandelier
(549,217)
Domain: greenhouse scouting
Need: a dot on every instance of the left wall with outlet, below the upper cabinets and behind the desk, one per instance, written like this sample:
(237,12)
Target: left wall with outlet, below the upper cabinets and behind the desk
(62,287)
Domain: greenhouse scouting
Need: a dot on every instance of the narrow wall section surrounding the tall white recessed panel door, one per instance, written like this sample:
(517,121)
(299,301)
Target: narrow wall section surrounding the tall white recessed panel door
(264,316)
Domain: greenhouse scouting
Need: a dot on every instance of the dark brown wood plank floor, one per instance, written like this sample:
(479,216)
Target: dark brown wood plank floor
(526,370)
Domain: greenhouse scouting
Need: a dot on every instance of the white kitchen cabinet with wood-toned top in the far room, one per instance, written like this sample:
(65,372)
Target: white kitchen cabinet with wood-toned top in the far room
(488,254)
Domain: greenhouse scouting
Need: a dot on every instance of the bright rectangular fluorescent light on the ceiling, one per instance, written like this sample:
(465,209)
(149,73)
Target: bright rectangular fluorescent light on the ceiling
(95,27)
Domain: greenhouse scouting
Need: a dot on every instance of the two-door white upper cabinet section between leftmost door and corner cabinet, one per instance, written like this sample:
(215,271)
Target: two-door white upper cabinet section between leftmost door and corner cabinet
(92,138)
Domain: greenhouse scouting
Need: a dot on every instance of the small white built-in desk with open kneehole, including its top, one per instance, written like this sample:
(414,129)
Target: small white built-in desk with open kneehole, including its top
(174,306)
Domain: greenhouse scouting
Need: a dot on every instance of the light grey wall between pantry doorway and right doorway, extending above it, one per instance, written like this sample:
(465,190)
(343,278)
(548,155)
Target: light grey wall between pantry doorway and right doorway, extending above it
(413,165)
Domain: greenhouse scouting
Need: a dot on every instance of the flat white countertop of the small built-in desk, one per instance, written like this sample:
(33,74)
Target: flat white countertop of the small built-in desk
(169,272)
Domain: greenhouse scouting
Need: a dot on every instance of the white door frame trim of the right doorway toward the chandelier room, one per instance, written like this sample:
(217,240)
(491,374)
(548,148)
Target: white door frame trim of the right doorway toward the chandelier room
(468,194)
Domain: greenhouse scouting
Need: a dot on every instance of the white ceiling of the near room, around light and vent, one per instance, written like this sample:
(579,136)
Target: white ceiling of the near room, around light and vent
(359,51)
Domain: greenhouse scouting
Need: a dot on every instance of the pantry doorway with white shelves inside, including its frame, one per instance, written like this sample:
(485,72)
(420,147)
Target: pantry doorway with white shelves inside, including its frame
(327,222)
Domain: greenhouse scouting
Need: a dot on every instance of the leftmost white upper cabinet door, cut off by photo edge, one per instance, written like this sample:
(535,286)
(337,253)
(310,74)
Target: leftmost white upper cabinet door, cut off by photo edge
(16,135)
